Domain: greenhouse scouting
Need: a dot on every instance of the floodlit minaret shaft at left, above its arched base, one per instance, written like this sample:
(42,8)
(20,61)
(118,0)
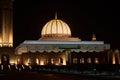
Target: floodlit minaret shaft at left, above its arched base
(6,23)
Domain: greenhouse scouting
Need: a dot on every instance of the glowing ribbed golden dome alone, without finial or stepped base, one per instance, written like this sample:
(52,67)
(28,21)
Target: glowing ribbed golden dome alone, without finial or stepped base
(56,28)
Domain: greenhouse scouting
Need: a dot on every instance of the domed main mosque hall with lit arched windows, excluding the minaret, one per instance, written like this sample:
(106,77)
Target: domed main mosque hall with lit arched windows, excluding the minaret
(57,47)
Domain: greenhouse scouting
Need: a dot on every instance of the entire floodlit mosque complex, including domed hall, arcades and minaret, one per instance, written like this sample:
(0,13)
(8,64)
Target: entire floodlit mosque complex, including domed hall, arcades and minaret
(56,46)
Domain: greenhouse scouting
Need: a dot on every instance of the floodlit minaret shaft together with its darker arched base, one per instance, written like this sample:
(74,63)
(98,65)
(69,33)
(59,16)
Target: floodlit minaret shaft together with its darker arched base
(6,32)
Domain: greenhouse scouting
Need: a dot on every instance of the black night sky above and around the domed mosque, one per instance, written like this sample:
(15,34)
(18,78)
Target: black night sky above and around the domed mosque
(84,18)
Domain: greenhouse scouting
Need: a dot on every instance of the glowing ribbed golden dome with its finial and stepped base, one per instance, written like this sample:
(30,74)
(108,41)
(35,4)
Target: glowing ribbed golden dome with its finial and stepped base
(57,30)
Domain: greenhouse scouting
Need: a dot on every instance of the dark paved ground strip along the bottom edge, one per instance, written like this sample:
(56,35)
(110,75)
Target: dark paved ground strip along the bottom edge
(49,76)
